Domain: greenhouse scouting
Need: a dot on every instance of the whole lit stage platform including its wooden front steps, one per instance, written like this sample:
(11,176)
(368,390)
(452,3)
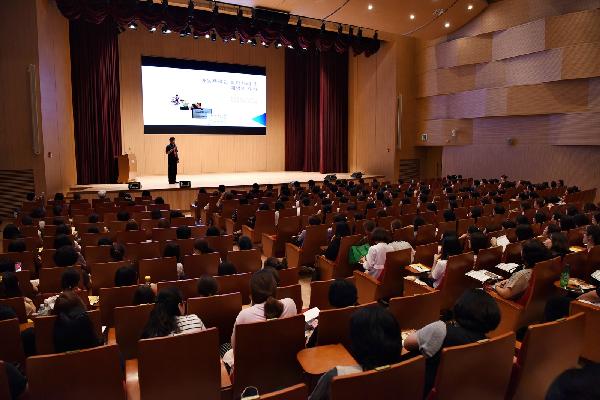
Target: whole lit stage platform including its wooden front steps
(180,198)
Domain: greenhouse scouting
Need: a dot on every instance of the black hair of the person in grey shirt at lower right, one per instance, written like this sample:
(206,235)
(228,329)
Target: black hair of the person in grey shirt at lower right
(476,310)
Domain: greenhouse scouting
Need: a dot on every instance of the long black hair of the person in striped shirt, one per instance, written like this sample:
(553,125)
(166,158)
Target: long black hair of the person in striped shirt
(162,320)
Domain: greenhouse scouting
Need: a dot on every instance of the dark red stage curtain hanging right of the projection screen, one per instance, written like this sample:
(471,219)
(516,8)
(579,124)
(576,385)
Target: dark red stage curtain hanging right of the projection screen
(316,120)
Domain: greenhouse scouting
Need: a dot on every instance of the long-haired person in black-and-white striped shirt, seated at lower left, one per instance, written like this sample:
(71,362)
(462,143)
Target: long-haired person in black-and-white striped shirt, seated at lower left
(168,318)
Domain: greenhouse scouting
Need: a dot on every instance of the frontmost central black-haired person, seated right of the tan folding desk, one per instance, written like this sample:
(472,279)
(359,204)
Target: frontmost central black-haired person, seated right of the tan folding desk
(375,342)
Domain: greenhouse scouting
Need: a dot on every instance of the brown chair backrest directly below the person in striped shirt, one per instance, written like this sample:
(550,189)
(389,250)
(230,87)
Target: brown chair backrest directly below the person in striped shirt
(197,371)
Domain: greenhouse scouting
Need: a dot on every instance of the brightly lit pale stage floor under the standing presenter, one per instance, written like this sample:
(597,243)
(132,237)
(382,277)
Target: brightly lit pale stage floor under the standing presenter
(213,180)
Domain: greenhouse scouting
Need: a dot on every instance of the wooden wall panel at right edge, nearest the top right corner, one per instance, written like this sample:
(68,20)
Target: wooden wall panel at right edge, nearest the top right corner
(569,29)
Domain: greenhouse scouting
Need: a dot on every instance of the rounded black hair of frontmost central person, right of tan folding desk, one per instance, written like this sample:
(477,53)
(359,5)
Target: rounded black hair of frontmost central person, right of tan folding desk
(375,337)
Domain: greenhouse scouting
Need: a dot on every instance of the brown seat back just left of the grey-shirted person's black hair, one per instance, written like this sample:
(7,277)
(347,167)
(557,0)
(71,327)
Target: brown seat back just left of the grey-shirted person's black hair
(416,311)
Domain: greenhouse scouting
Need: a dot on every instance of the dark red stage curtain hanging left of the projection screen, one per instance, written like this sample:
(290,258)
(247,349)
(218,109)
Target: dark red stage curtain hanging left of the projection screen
(96,100)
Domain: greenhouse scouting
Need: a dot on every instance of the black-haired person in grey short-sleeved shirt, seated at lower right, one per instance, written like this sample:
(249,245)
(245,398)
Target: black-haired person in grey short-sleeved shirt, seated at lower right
(475,314)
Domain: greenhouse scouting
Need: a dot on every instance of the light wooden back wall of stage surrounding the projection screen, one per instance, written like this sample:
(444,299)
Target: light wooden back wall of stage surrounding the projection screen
(201,153)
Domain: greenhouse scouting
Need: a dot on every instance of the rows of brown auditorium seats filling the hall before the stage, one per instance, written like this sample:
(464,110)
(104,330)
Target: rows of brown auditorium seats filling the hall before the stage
(519,359)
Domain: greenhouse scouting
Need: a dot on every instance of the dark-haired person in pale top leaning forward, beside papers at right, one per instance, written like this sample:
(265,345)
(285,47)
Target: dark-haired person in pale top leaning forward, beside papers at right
(532,252)
